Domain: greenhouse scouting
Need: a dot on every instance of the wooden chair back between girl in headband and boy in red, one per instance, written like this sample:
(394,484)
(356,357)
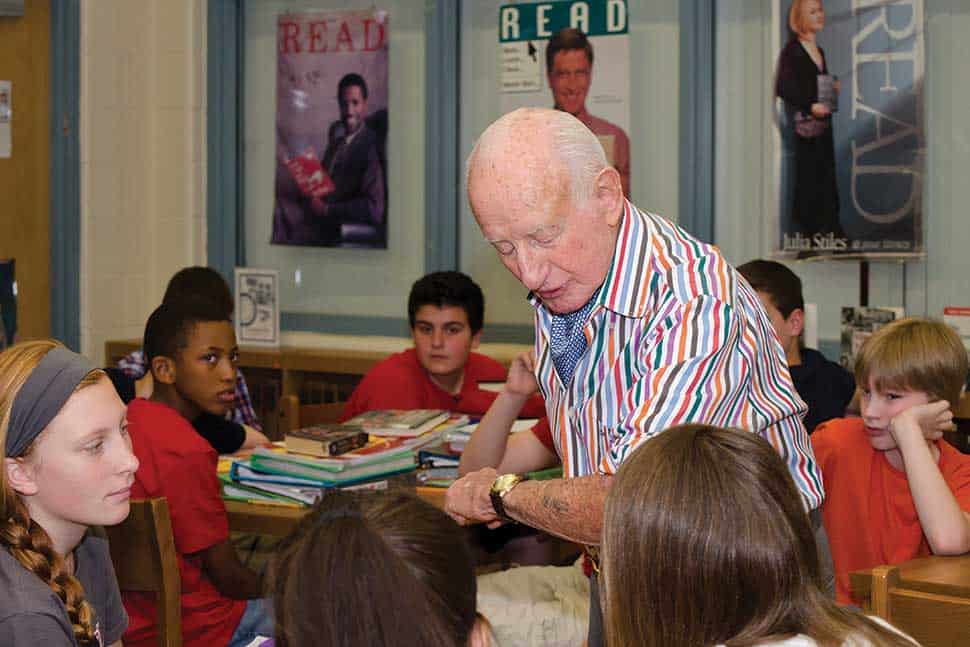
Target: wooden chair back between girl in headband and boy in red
(144,558)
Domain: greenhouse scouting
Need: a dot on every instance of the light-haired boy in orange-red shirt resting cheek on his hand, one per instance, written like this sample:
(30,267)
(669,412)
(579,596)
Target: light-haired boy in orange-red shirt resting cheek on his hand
(894,490)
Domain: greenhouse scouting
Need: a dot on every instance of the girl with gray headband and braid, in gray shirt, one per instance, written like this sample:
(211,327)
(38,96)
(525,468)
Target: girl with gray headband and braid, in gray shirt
(67,465)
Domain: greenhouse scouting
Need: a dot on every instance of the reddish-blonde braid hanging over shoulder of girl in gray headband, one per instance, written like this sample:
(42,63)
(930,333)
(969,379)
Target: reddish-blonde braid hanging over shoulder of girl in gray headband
(30,545)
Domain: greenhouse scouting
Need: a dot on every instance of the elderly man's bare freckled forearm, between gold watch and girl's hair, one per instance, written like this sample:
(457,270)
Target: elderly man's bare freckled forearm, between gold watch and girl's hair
(568,508)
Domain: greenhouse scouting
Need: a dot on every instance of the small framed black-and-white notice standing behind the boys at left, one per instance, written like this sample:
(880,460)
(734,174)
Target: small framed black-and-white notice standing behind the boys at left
(257,307)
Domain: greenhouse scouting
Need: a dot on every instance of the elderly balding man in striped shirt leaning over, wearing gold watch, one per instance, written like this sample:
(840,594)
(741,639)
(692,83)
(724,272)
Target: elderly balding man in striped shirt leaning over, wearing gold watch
(638,326)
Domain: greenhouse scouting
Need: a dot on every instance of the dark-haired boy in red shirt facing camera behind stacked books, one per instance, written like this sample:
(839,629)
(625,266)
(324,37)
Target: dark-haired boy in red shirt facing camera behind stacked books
(446,311)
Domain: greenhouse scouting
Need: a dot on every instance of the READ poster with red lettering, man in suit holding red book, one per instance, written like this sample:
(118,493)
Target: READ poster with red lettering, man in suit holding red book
(331,129)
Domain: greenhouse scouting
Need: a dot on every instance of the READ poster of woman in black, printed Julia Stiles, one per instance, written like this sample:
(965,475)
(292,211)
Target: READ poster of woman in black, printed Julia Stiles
(849,94)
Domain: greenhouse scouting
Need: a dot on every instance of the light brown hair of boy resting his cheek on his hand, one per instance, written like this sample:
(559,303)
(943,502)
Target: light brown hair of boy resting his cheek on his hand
(916,354)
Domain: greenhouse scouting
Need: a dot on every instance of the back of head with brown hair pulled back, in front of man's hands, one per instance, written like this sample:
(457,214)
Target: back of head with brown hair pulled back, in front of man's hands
(380,569)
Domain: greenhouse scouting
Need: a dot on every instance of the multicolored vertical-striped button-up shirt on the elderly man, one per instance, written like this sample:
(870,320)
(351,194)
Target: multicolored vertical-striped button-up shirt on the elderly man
(675,336)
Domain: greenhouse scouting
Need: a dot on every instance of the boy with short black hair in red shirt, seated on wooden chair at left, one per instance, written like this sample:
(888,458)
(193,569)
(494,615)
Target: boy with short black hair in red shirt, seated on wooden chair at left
(191,351)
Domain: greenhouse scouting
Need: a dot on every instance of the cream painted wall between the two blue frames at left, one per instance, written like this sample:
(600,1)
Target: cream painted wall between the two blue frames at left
(142,137)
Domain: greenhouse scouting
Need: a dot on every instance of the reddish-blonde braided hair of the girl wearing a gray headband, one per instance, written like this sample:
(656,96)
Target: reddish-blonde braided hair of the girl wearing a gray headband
(27,542)
